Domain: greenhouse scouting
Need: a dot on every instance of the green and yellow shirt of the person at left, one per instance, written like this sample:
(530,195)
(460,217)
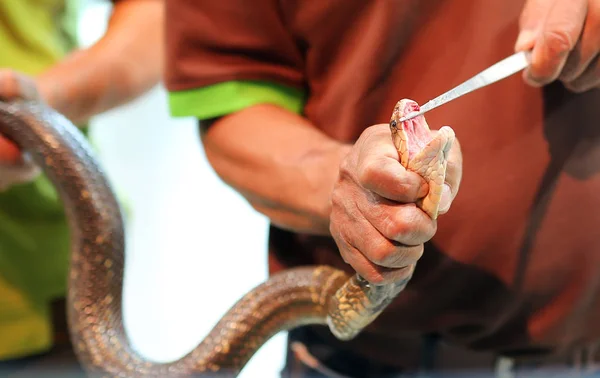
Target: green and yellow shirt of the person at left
(34,237)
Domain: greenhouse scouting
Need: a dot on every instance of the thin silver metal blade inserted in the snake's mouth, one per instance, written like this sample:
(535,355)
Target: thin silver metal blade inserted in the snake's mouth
(498,71)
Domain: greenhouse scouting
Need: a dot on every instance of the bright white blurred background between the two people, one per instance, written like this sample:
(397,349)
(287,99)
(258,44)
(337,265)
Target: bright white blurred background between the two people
(194,246)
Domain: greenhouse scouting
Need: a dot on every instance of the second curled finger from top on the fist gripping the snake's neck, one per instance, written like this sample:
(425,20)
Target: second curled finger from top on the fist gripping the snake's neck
(403,223)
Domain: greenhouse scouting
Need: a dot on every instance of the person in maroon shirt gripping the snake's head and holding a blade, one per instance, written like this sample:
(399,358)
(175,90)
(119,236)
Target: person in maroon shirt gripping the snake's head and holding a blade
(294,99)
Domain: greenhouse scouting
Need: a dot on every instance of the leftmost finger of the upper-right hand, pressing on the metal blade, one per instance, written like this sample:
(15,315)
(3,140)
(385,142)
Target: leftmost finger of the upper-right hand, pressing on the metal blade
(557,38)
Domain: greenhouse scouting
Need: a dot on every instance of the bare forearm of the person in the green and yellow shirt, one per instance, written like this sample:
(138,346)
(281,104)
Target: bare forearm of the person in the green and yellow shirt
(123,64)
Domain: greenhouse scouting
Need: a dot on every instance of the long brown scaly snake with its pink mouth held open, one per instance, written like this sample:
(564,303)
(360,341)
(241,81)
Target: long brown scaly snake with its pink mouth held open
(304,295)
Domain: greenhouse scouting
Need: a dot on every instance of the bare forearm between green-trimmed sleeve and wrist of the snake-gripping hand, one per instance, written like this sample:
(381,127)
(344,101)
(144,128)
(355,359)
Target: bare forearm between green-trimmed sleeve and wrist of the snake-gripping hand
(282,164)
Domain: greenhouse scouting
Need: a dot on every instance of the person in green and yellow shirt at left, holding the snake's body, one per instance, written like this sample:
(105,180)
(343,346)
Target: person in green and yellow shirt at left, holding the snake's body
(40,60)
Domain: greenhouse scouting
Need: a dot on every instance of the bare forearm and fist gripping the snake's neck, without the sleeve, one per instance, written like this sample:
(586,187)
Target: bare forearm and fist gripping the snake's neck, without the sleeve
(306,182)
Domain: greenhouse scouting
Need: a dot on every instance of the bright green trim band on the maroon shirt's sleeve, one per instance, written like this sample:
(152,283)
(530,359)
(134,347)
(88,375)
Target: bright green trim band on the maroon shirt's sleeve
(231,96)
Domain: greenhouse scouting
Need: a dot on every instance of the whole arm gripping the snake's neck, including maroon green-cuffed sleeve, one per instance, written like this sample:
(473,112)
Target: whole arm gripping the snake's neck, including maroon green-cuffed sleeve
(237,83)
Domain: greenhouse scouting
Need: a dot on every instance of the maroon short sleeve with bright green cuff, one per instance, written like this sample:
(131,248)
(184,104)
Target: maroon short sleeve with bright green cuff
(226,55)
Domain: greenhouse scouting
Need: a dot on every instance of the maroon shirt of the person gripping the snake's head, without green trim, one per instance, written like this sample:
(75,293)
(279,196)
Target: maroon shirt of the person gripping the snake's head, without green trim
(515,264)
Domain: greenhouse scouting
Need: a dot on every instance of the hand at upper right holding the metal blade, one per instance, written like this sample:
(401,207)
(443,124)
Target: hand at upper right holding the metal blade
(564,37)
